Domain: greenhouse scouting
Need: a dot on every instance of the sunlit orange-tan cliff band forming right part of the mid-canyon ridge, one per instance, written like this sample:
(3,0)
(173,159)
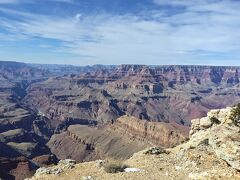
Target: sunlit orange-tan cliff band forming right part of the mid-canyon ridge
(154,133)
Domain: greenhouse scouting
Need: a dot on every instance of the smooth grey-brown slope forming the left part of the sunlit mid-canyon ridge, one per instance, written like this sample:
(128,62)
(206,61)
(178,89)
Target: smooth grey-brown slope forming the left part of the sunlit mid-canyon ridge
(83,143)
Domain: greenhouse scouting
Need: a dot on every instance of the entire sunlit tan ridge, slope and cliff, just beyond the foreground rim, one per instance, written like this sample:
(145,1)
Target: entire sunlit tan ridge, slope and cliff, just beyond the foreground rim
(117,141)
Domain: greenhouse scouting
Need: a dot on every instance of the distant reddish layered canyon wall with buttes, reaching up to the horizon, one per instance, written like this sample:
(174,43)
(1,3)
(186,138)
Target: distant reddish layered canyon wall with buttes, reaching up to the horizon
(160,93)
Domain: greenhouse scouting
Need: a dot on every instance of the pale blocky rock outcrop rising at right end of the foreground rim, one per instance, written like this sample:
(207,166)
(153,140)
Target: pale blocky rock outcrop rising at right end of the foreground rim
(220,133)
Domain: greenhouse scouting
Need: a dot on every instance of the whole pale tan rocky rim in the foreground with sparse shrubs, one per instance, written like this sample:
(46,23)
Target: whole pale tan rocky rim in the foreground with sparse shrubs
(211,153)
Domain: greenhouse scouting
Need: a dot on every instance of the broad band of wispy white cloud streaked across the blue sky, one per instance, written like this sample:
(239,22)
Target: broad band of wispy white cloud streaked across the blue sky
(202,28)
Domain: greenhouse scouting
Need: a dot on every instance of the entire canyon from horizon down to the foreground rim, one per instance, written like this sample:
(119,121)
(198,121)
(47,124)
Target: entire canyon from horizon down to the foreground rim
(48,113)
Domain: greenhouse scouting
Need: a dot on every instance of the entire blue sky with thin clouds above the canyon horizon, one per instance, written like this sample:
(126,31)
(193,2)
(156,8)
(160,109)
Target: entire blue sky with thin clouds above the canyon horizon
(82,32)
